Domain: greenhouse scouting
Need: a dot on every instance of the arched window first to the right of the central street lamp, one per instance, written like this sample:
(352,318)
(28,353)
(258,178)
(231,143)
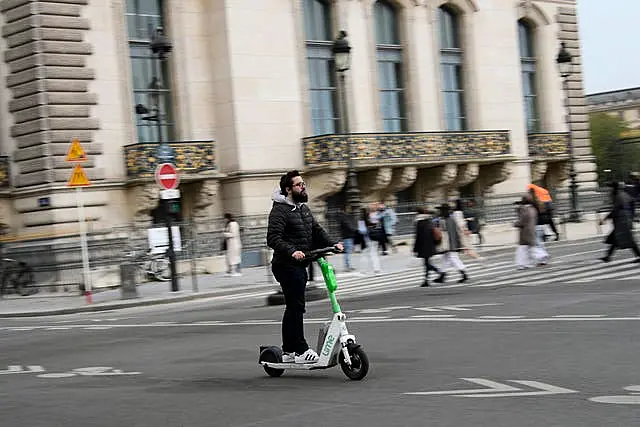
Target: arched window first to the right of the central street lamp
(390,72)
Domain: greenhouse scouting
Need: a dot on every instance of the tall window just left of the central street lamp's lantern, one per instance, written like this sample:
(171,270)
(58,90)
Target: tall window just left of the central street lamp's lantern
(322,82)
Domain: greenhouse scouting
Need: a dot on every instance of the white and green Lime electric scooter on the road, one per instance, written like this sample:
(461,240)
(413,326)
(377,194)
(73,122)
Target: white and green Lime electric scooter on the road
(335,344)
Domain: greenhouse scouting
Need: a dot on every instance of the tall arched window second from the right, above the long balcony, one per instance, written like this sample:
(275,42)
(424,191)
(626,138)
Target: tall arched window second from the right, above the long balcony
(451,69)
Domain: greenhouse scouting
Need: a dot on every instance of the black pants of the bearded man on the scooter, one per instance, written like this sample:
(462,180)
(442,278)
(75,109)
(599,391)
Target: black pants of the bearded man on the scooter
(293,280)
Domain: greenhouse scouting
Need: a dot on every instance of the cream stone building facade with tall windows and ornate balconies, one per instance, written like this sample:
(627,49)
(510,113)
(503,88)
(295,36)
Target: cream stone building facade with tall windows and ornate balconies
(443,97)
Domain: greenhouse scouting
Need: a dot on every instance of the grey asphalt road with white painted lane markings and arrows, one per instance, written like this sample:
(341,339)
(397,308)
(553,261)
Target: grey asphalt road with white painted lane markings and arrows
(560,354)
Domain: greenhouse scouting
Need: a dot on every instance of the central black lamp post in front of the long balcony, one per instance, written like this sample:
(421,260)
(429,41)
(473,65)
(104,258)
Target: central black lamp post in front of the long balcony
(342,60)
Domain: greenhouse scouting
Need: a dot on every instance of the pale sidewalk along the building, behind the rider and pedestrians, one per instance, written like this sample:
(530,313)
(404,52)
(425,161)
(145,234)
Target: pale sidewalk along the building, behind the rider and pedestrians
(255,281)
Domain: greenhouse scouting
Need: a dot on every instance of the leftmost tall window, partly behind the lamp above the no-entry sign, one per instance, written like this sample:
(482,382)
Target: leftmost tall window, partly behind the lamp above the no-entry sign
(149,77)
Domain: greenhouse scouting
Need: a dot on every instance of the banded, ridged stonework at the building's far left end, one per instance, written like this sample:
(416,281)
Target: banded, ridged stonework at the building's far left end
(49,80)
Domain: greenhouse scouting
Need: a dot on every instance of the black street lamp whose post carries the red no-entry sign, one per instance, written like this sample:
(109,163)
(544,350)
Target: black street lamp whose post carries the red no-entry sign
(161,47)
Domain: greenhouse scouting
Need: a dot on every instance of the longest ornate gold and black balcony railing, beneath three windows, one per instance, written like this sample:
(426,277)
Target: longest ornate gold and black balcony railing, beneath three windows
(420,147)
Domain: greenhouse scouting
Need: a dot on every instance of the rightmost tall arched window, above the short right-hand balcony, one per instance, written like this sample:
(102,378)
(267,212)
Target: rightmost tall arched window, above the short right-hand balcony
(528,70)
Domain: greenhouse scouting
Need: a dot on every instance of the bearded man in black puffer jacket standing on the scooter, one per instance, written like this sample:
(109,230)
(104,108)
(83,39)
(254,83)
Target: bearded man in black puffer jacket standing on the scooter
(292,231)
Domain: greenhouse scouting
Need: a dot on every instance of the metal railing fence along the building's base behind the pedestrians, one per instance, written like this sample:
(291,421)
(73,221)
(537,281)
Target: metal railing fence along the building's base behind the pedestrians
(58,262)
